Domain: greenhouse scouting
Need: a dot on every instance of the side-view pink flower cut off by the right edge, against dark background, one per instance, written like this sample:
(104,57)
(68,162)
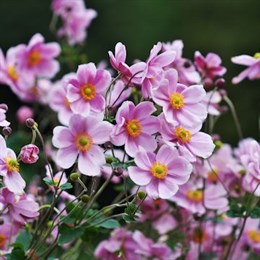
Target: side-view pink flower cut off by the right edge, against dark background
(253,70)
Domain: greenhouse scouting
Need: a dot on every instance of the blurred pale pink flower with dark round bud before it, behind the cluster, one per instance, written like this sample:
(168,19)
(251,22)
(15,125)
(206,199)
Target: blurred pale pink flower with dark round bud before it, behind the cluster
(187,73)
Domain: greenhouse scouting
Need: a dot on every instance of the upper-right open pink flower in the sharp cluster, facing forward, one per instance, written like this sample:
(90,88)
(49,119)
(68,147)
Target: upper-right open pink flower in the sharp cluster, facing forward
(180,103)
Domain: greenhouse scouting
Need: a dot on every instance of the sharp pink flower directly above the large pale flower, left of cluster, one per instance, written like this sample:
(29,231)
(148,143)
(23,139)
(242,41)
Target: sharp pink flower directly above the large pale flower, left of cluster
(86,93)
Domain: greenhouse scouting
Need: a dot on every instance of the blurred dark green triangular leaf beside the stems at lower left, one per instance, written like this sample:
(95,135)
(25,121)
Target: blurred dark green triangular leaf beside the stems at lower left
(69,233)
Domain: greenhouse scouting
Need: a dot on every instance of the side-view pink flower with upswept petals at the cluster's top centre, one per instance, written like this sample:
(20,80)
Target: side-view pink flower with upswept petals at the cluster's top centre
(152,70)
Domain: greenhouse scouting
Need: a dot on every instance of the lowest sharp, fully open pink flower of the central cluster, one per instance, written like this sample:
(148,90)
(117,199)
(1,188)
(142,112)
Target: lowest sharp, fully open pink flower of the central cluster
(160,173)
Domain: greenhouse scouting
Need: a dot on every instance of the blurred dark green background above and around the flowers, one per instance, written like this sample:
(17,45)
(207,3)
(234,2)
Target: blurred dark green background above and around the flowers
(228,28)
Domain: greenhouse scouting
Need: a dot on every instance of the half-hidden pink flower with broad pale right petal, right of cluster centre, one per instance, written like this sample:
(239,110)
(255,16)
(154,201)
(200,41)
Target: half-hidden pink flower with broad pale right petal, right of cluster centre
(189,141)
